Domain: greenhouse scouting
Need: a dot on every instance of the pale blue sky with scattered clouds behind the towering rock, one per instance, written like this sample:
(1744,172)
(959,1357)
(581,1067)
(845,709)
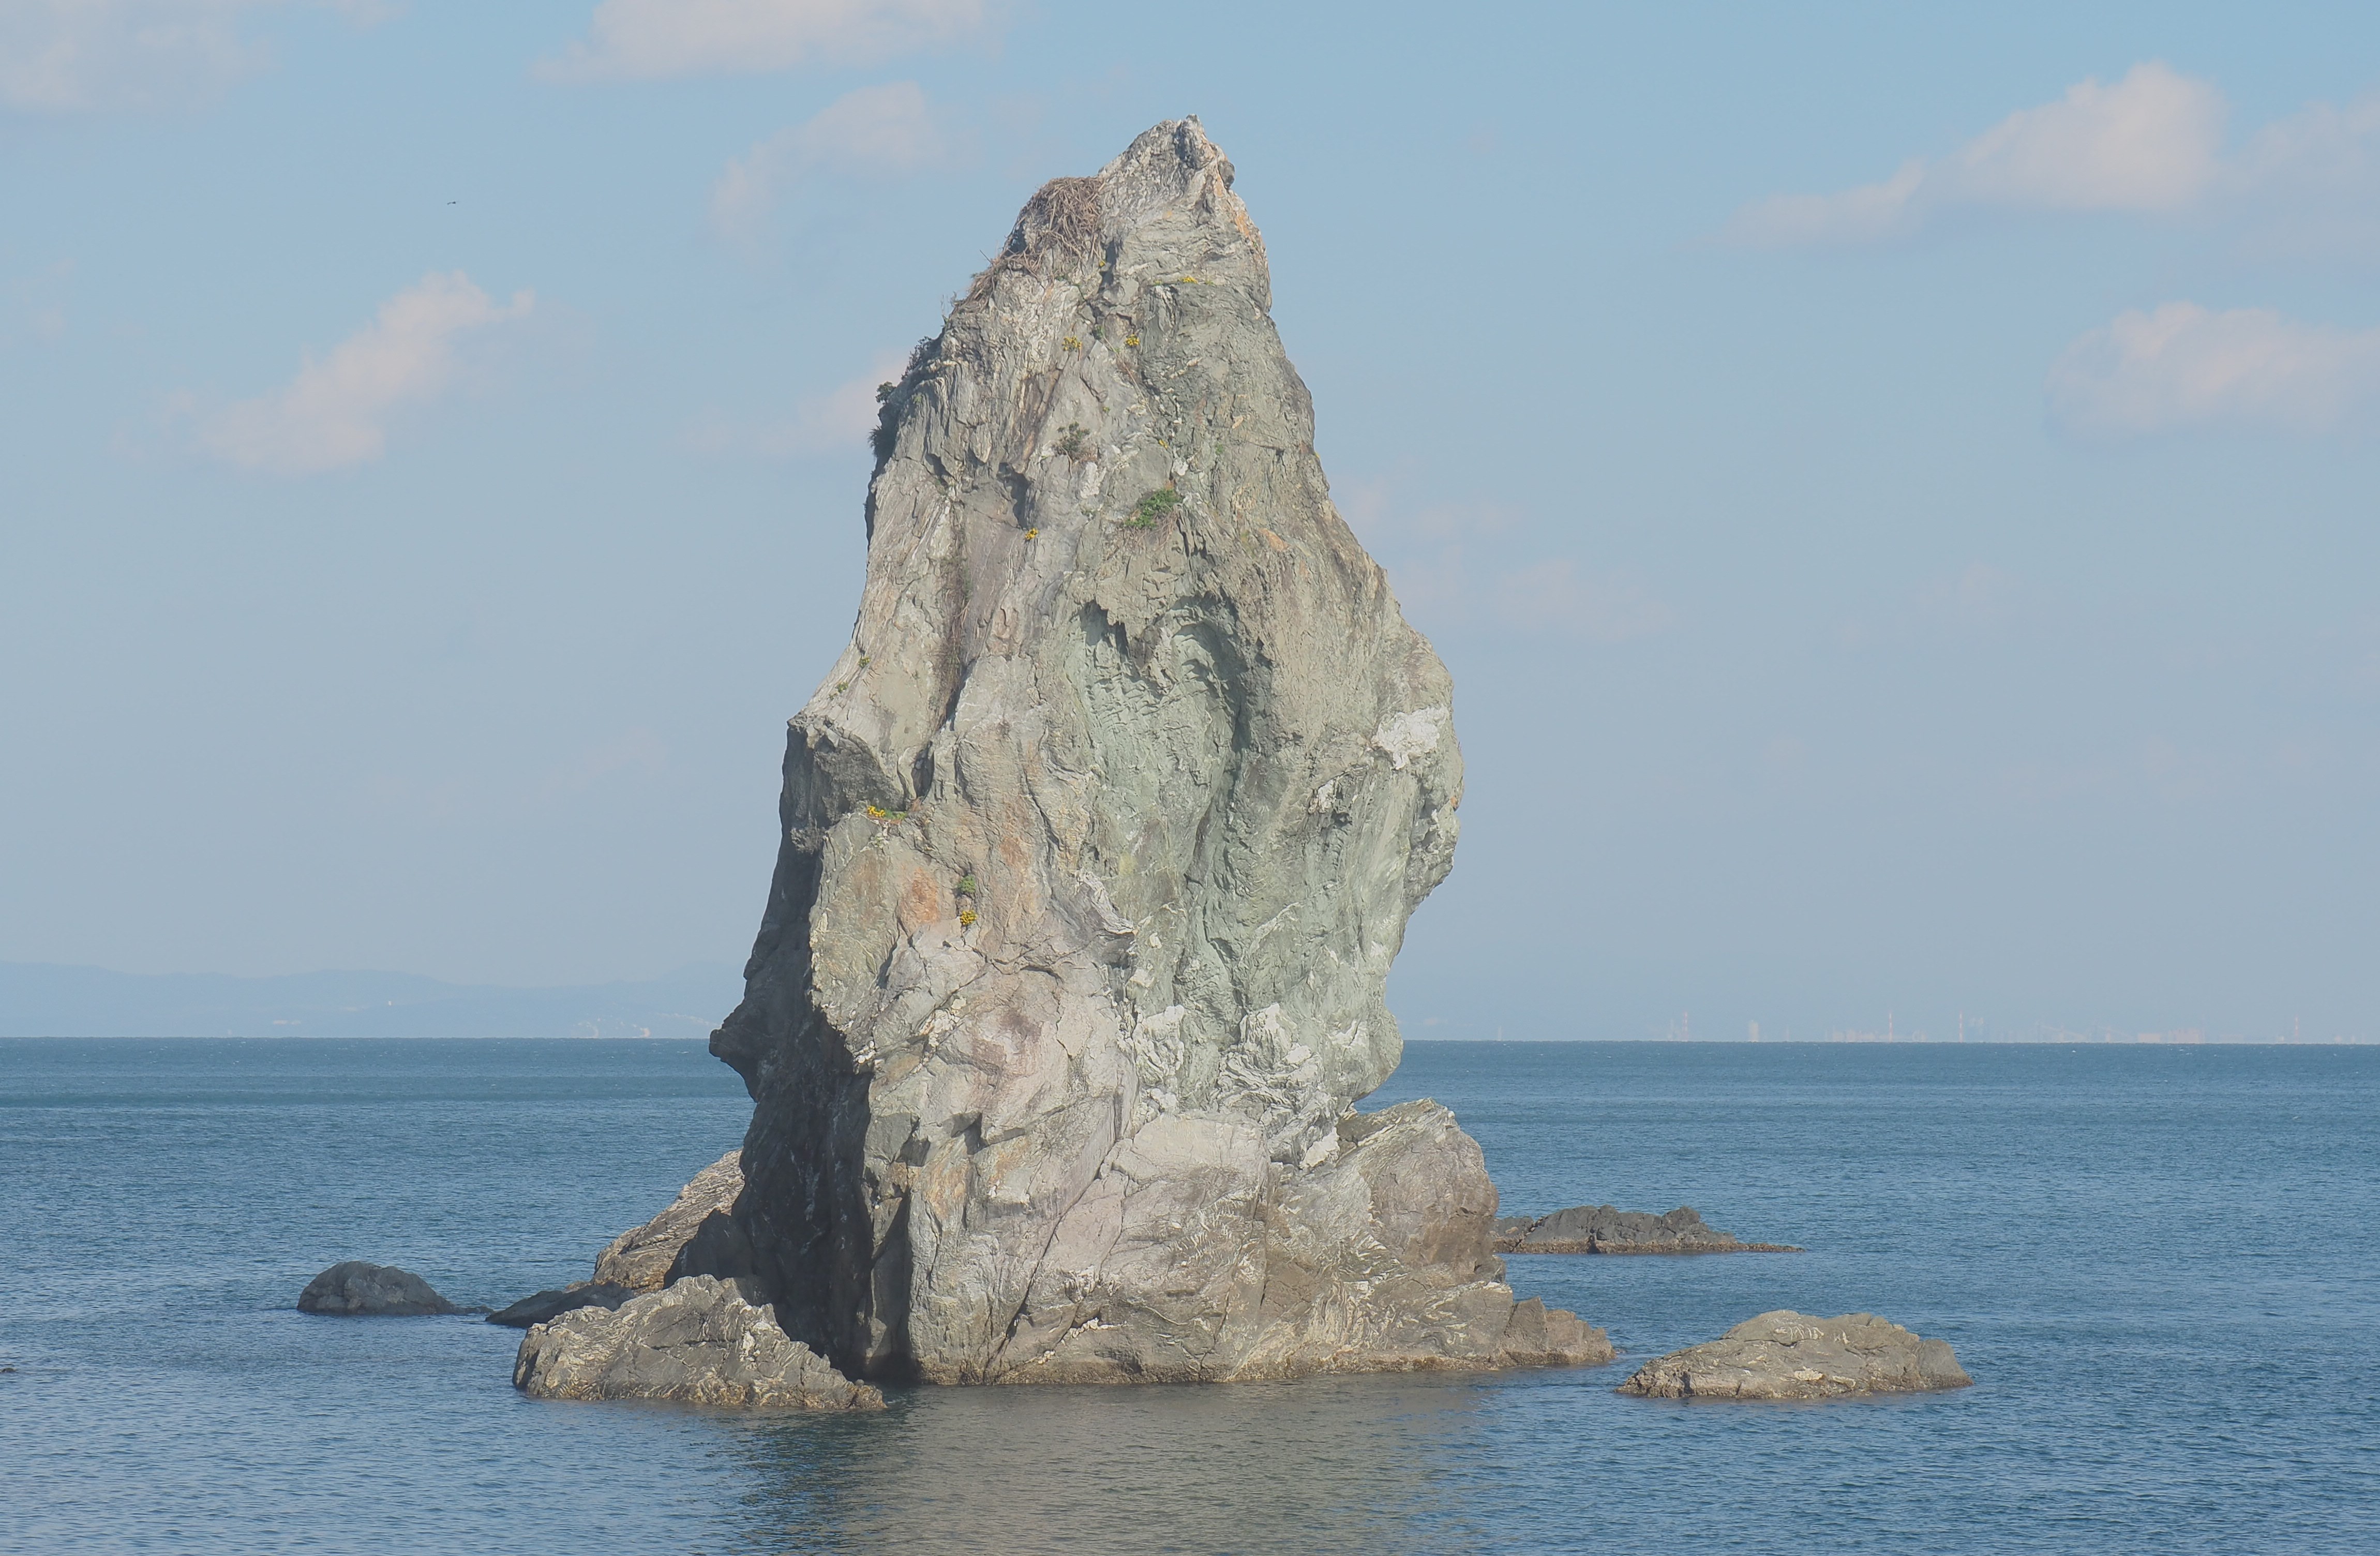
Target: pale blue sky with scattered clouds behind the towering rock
(1896,487)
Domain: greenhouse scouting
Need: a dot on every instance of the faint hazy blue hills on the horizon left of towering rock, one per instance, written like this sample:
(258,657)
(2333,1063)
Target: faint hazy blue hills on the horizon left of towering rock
(49,1000)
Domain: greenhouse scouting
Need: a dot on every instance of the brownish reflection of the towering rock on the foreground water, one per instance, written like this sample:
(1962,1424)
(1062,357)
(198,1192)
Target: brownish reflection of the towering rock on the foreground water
(1334,1464)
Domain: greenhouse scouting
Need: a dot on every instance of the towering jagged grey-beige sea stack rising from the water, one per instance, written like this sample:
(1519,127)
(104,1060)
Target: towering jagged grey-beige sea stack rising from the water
(1098,843)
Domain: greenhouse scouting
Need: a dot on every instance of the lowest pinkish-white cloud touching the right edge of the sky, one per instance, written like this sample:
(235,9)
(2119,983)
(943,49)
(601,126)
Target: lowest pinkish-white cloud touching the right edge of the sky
(2191,368)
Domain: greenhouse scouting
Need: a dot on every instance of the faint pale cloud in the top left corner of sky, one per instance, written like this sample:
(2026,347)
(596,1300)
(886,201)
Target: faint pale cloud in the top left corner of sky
(75,56)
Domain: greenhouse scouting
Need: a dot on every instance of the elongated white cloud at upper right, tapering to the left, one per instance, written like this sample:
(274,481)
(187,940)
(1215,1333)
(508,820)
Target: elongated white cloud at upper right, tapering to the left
(2146,144)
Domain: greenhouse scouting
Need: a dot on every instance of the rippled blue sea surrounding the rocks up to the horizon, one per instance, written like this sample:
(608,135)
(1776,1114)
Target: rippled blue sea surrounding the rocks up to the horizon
(2157,1265)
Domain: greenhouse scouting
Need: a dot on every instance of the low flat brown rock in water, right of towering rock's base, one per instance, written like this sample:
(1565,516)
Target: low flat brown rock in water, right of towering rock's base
(1798,1357)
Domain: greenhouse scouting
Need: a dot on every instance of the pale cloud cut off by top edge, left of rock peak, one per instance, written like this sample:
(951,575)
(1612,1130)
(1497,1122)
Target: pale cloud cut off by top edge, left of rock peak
(649,39)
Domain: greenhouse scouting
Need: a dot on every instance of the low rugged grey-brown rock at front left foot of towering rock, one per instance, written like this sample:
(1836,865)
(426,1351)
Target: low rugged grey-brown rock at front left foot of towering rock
(696,1343)
